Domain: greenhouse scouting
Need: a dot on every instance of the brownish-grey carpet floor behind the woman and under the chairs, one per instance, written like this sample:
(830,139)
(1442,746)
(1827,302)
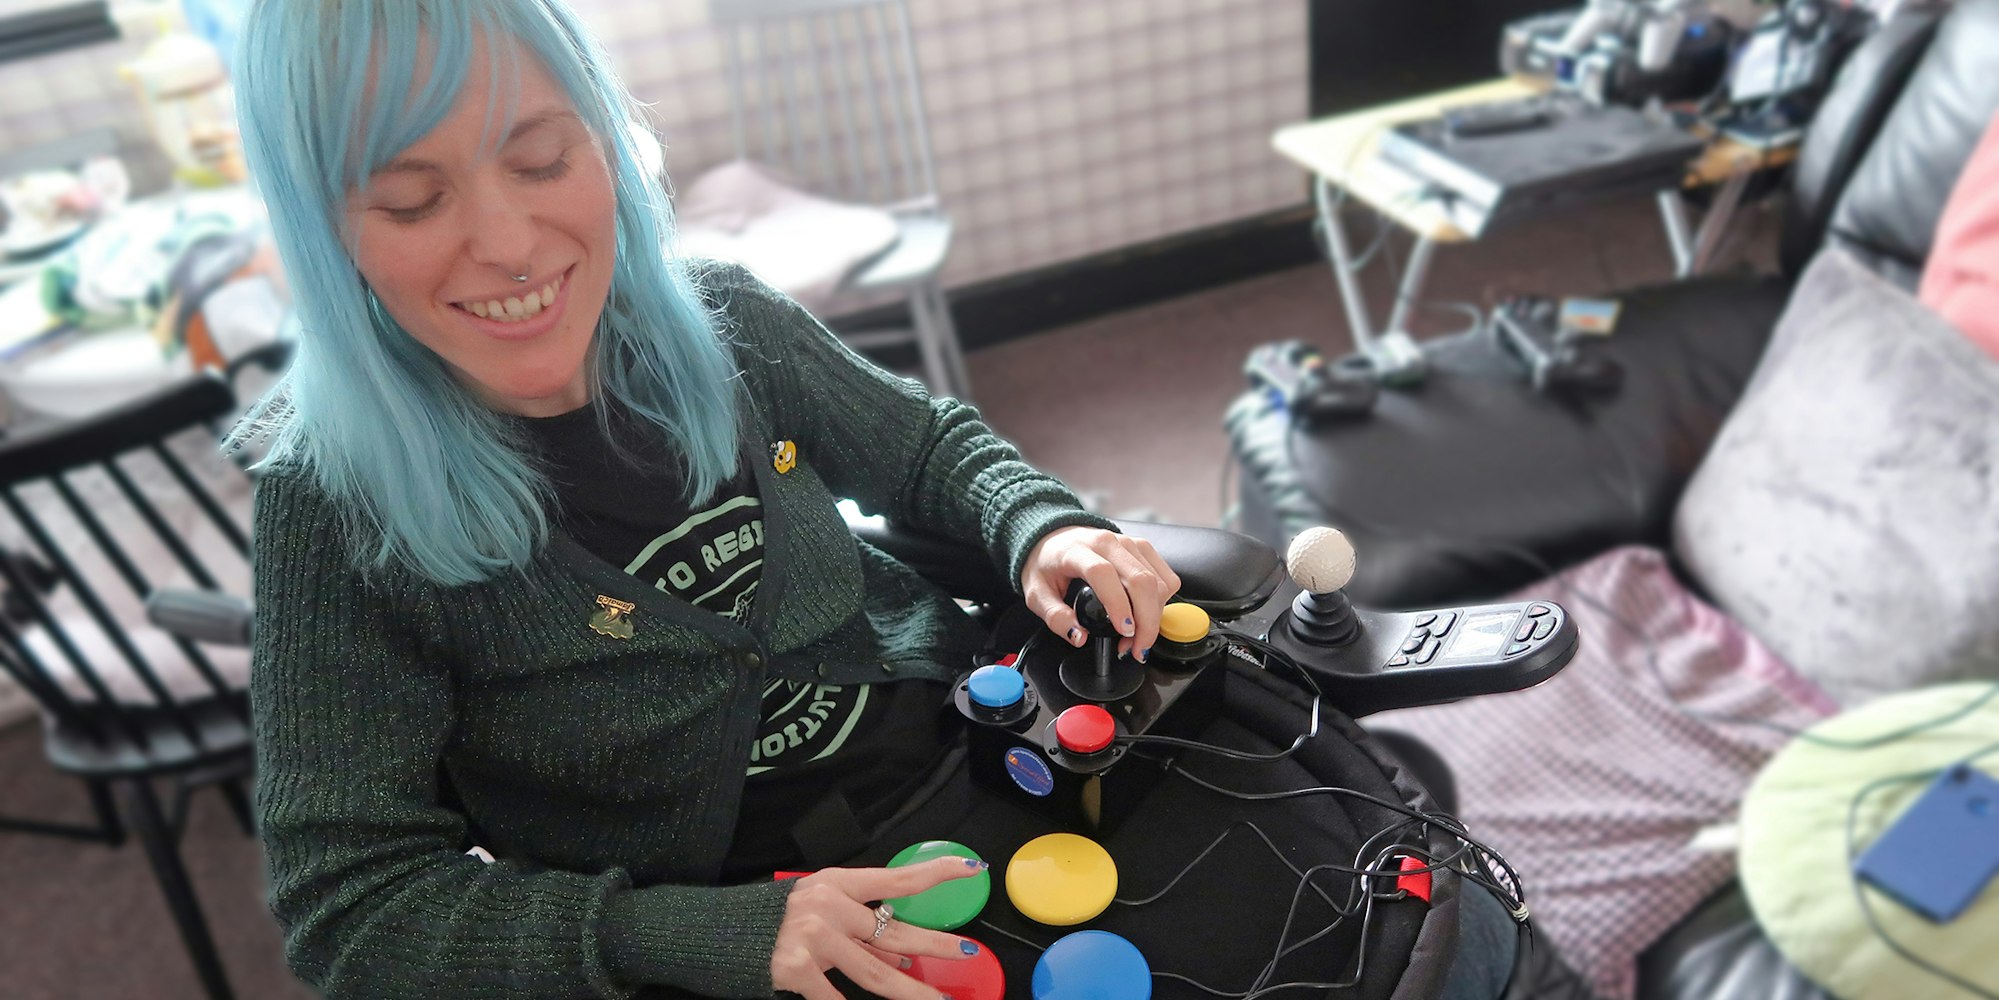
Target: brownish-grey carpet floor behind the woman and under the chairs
(1128,409)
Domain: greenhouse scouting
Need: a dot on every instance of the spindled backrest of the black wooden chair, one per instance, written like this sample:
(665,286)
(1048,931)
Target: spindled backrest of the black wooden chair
(95,517)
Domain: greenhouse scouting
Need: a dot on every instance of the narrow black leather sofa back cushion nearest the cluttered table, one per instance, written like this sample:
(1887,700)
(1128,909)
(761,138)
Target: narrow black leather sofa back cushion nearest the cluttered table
(1846,127)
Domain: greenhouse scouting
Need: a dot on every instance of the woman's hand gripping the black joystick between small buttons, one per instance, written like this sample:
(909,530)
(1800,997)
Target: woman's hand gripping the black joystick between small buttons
(1126,575)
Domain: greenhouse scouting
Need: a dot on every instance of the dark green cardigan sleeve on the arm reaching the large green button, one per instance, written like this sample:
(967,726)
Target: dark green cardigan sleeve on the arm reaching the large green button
(367,867)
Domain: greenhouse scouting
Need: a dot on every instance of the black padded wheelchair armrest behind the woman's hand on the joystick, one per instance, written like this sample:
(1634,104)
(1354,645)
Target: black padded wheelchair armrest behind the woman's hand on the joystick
(1224,573)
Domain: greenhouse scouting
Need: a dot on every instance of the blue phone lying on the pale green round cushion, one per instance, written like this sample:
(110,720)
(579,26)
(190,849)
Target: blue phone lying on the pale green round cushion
(1942,853)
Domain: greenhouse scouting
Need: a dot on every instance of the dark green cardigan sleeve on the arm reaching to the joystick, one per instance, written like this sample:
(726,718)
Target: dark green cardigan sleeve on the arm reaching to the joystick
(885,443)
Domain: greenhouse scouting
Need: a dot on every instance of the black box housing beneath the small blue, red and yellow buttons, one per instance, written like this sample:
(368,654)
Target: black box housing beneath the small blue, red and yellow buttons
(1018,755)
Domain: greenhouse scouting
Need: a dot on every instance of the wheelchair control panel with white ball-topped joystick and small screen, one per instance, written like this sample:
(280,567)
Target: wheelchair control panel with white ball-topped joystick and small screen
(1372,661)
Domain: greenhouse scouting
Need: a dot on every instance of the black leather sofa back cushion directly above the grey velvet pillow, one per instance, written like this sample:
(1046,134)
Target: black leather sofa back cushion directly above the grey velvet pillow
(1890,209)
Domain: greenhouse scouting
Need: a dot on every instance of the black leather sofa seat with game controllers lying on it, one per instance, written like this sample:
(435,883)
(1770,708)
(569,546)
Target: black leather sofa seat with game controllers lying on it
(1440,481)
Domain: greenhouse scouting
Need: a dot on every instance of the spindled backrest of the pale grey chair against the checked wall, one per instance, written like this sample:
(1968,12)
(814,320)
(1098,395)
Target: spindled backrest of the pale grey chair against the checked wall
(831,93)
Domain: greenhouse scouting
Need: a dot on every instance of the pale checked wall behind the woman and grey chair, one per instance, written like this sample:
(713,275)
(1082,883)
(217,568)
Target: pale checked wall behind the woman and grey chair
(1060,127)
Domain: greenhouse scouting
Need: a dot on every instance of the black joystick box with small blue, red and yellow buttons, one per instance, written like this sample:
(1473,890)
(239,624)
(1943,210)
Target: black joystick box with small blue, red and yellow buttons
(1054,727)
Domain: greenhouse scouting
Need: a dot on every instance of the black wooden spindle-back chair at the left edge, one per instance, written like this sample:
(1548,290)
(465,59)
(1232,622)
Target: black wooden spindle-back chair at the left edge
(99,515)
